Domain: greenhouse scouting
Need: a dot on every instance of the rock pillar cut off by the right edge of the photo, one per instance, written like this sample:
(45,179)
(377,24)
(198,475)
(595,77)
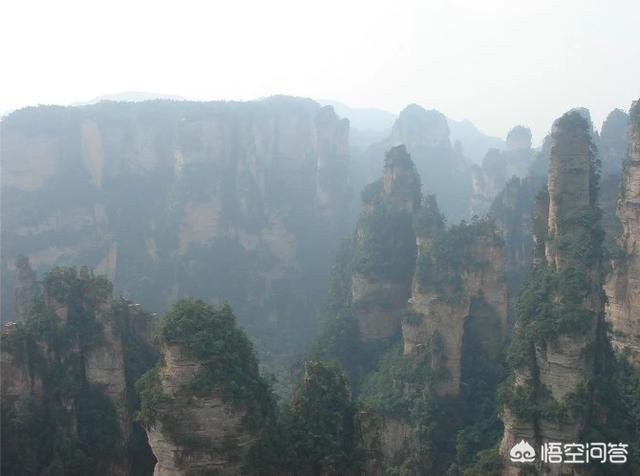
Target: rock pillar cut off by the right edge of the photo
(623,284)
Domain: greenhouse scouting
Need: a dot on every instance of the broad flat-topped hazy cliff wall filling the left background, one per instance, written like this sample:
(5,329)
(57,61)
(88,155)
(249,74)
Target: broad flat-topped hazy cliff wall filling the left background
(233,201)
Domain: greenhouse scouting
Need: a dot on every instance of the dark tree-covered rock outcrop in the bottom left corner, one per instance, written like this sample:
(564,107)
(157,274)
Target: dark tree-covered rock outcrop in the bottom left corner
(68,368)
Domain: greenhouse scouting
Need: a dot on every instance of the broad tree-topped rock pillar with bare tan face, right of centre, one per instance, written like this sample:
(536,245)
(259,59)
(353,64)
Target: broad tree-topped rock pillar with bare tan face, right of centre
(468,299)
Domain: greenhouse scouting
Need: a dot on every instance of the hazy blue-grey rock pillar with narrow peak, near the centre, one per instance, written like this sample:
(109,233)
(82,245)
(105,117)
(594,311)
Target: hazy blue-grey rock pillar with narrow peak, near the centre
(385,248)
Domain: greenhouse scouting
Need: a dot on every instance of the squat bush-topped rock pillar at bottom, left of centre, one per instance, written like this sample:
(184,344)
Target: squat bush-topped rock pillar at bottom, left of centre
(204,405)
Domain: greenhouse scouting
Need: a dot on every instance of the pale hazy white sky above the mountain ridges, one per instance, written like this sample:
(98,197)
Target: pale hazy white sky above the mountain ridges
(497,63)
